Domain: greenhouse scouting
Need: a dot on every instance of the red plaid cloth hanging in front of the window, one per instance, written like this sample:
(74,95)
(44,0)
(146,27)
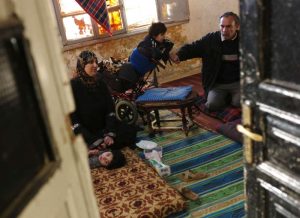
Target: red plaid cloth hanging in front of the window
(97,10)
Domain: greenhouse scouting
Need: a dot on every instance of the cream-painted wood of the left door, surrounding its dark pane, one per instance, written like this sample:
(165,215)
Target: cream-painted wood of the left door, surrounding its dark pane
(68,193)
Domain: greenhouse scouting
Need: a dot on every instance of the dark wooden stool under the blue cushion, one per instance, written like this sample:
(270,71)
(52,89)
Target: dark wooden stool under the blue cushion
(148,106)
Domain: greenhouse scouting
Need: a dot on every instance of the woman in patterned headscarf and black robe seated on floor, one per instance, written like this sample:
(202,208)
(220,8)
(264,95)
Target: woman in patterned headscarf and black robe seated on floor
(94,116)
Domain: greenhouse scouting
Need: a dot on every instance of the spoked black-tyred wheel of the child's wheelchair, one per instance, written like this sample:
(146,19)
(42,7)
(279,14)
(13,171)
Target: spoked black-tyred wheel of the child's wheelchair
(126,111)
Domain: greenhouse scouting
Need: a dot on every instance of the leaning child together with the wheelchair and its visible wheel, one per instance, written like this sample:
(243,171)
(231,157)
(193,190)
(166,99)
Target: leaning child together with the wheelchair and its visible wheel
(130,75)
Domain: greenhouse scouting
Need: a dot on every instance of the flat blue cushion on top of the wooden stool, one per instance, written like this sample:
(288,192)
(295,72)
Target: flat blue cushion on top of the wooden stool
(165,94)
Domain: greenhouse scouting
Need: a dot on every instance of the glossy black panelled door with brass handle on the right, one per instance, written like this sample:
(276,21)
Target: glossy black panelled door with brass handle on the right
(270,77)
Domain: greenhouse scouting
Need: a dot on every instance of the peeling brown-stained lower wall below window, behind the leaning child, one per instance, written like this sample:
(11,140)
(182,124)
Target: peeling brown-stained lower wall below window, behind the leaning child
(121,49)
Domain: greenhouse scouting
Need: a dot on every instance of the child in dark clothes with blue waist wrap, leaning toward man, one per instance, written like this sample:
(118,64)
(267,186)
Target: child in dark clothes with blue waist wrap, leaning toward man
(147,57)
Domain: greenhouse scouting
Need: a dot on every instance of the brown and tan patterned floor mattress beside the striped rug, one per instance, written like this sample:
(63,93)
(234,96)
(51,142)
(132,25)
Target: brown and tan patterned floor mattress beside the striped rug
(135,190)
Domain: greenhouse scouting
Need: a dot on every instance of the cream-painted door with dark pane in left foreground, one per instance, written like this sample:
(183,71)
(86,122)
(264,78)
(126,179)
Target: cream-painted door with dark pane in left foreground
(67,191)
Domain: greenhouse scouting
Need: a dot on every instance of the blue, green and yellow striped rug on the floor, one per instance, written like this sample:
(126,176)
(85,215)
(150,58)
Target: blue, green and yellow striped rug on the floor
(221,194)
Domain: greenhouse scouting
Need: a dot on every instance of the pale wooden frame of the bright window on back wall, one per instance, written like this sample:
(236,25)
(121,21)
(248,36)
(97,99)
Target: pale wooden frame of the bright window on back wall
(72,44)
